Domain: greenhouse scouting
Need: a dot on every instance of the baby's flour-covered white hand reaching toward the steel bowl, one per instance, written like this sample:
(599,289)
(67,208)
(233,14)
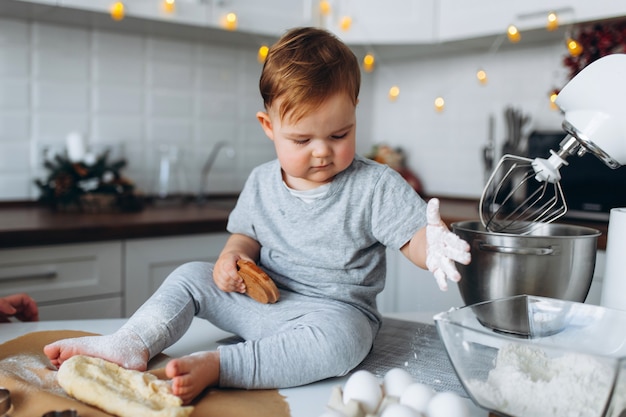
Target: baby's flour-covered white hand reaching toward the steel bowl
(443,248)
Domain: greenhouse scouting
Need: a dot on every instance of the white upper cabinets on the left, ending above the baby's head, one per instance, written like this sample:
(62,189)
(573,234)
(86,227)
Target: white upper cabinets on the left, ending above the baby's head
(270,17)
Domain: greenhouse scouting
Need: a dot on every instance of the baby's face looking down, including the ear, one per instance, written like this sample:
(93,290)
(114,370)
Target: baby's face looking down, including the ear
(317,147)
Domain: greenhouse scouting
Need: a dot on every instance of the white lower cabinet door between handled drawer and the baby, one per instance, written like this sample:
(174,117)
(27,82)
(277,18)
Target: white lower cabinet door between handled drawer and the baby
(150,261)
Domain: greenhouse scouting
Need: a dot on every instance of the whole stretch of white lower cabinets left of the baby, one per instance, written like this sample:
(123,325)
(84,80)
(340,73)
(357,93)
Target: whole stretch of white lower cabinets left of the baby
(99,280)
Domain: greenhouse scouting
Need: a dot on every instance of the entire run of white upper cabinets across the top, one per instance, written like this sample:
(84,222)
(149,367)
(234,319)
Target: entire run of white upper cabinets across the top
(394,22)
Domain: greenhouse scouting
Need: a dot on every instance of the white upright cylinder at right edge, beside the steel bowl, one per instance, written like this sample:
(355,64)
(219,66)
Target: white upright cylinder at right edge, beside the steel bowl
(614,285)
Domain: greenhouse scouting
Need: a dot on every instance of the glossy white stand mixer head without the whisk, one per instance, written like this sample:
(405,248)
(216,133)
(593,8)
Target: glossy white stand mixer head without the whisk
(594,106)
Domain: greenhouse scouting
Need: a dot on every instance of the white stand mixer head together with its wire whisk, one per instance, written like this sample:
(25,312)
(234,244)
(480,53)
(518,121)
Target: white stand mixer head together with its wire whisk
(522,193)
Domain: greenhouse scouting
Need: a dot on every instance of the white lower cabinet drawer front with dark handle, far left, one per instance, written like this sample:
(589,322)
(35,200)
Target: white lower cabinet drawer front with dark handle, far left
(67,281)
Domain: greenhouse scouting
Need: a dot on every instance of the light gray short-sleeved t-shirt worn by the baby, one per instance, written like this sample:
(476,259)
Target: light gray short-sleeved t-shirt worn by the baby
(334,247)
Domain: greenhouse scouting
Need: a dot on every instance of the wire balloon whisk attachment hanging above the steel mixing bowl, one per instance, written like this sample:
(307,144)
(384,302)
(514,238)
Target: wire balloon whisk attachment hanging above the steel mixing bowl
(523,193)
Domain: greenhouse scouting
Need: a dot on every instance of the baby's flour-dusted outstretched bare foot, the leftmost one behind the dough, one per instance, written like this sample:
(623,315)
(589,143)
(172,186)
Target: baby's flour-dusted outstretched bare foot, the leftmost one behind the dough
(123,348)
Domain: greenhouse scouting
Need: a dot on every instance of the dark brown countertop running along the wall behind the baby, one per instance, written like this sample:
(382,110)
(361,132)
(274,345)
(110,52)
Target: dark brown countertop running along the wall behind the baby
(30,225)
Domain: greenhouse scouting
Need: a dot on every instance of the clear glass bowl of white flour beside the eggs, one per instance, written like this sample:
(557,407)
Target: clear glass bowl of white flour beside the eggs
(570,362)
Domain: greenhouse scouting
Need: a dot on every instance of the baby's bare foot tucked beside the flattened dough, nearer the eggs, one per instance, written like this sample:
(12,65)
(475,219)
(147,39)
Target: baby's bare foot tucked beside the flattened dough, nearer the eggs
(193,373)
